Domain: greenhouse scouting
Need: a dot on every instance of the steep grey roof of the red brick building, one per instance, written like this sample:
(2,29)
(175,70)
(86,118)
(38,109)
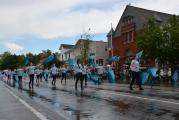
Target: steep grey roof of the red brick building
(140,17)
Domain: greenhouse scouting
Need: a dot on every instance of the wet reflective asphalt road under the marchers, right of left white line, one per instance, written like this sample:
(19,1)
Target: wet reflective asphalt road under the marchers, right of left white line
(104,102)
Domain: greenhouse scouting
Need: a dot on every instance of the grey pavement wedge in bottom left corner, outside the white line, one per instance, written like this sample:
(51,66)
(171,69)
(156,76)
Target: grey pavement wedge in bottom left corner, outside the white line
(12,108)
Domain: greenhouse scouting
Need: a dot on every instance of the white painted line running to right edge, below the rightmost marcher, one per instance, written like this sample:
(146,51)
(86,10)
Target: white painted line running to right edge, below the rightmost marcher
(143,98)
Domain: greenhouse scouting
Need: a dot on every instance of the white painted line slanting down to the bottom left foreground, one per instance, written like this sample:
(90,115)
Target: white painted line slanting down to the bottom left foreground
(38,114)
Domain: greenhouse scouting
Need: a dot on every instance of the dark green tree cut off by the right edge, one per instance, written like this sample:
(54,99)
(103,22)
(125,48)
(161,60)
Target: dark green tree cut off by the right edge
(171,39)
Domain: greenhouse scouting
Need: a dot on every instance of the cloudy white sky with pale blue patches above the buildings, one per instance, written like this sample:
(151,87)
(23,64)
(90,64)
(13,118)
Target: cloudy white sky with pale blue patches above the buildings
(35,25)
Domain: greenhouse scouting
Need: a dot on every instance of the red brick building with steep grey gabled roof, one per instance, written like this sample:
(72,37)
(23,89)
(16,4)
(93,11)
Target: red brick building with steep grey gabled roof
(124,36)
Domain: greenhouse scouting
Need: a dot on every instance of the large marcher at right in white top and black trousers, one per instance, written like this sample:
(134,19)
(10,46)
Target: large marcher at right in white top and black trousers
(135,71)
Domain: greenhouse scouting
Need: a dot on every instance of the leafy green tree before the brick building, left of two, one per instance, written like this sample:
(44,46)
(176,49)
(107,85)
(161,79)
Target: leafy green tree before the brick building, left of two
(150,39)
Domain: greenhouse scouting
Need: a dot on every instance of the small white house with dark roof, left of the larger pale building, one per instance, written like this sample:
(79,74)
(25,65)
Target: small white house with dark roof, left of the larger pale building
(64,52)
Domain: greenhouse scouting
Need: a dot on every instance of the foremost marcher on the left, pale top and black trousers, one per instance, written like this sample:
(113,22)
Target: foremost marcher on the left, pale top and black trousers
(31,71)
